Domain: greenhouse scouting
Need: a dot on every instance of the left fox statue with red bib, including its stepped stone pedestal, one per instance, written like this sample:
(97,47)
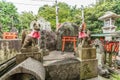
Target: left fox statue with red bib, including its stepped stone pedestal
(30,46)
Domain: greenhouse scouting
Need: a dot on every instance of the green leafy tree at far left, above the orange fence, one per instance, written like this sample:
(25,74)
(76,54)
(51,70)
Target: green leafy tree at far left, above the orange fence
(8,15)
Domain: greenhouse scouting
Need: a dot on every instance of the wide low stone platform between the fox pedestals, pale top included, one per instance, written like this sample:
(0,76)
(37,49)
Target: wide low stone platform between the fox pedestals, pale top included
(62,66)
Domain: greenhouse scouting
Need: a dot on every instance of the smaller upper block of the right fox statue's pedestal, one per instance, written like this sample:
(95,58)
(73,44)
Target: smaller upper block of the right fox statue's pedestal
(87,53)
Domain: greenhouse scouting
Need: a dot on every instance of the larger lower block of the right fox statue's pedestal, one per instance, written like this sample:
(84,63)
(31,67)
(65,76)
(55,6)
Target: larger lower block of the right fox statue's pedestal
(88,68)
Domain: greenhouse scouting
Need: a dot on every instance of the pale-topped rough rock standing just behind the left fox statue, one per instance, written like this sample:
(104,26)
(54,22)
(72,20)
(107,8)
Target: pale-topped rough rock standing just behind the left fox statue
(48,37)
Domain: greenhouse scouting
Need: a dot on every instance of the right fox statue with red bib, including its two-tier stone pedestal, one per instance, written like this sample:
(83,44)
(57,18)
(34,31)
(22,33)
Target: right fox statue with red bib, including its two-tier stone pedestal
(87,55)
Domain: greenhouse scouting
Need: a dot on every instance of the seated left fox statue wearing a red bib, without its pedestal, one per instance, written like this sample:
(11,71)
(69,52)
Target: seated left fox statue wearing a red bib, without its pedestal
(30,39)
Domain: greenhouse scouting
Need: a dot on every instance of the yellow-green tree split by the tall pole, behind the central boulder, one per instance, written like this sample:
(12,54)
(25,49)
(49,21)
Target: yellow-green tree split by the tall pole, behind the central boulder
(66,14)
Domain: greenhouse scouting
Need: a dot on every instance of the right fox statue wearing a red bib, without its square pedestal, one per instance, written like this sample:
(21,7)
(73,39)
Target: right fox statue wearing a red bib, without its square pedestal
(83,39)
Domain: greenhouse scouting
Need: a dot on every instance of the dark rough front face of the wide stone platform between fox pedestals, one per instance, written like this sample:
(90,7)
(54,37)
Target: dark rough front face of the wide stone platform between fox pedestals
(67,69)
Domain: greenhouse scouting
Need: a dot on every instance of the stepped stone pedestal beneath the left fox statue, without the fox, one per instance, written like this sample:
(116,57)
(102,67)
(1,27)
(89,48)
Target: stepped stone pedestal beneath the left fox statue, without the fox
(32,52)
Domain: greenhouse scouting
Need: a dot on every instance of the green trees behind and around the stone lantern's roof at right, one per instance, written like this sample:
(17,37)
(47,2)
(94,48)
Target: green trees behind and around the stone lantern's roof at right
(93,13)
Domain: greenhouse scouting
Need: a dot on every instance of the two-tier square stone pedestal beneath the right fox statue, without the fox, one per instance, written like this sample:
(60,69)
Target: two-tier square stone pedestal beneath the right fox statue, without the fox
(89,63)
